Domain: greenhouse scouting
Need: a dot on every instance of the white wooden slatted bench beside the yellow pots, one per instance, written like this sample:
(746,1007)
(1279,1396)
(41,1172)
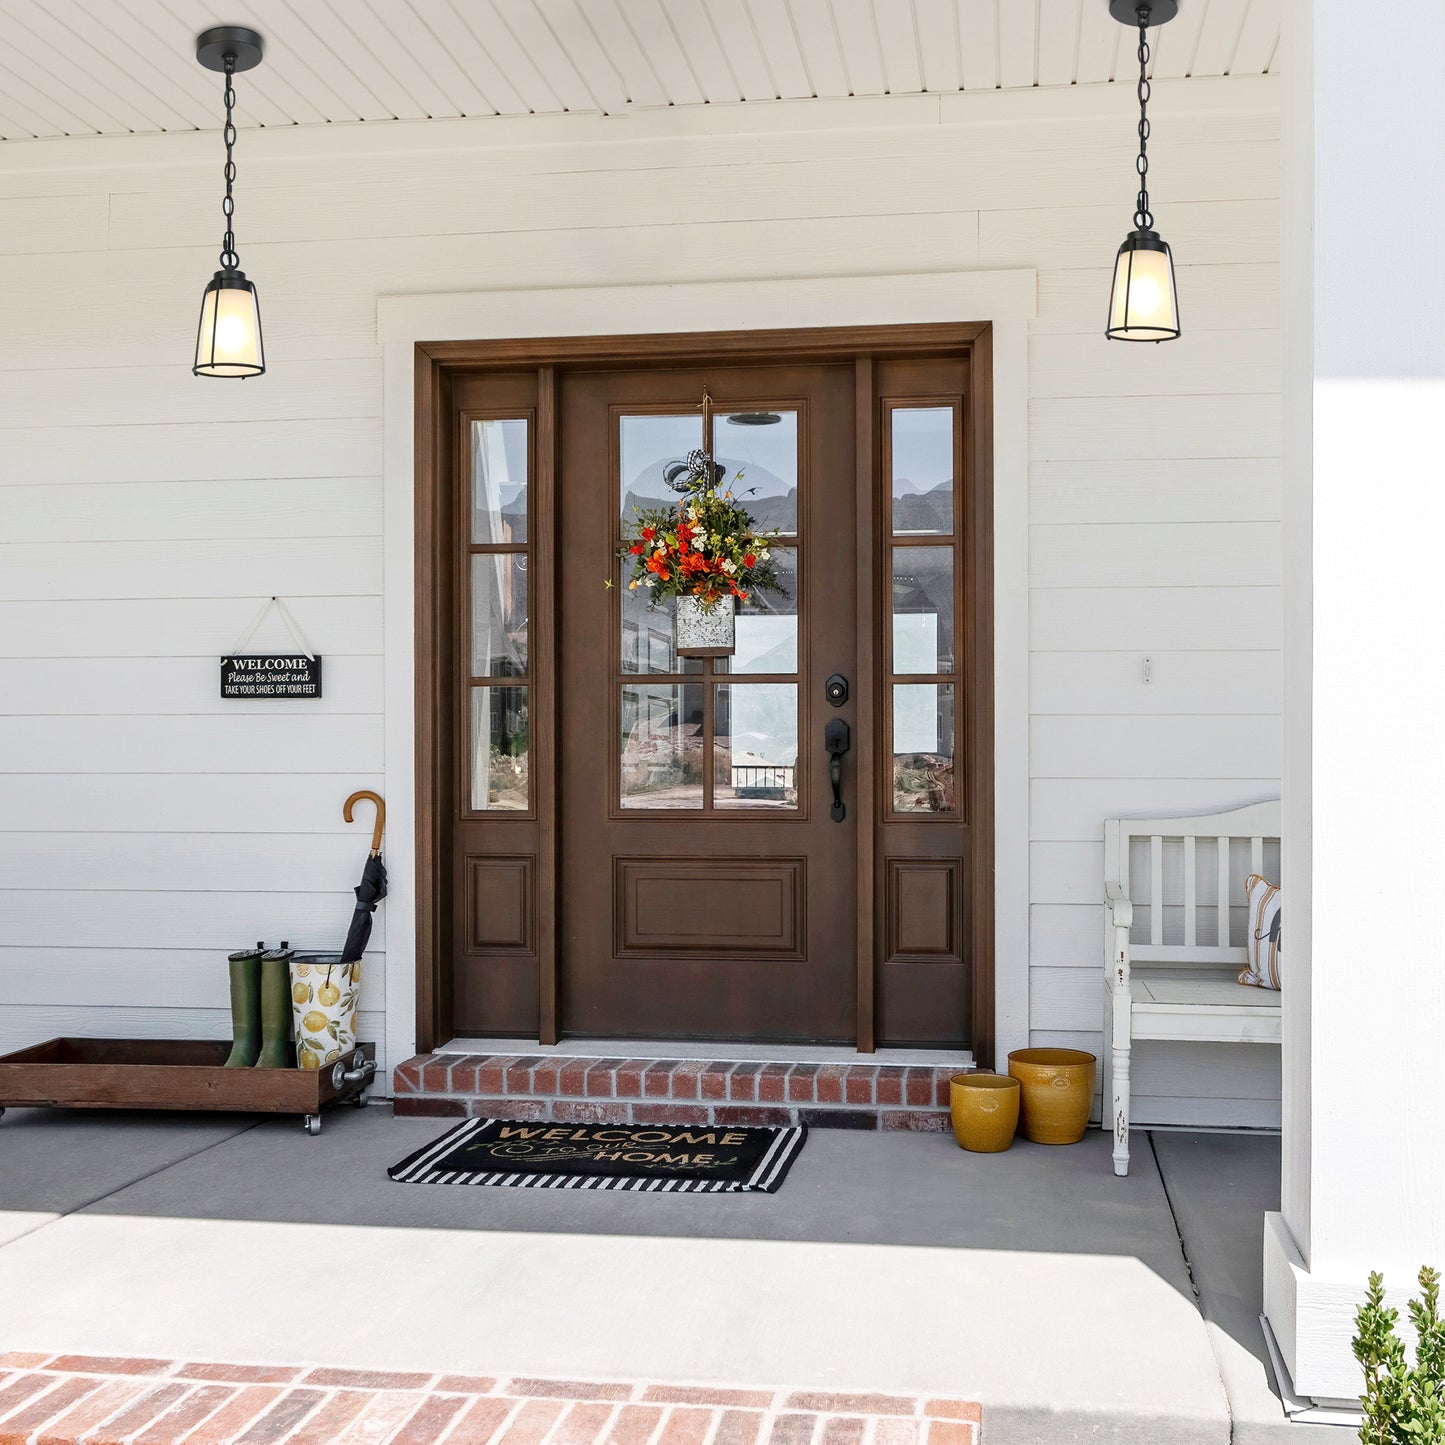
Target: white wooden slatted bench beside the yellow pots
(1180,884)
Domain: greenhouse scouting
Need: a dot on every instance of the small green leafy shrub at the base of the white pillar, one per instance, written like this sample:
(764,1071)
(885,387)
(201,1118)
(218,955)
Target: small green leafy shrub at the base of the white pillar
(1404,1404)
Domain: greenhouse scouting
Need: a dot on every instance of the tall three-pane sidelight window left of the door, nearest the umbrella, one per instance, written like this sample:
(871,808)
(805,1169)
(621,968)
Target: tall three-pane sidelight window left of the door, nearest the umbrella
(501,745)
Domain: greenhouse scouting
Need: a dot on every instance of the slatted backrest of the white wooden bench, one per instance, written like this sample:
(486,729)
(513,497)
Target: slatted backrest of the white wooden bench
(1186,878)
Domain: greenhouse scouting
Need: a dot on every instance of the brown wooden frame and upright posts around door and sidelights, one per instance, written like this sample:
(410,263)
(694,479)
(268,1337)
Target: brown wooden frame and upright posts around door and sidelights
(434,602)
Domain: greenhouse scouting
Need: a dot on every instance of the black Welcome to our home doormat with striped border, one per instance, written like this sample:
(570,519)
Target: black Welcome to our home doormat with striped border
(663,1160)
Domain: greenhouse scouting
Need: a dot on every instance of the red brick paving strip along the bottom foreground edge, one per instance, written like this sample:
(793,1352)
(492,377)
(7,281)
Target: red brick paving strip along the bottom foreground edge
(73,1399)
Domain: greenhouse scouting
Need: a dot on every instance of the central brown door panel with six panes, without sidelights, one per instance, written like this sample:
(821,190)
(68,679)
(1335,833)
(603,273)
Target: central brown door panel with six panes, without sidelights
(706,887)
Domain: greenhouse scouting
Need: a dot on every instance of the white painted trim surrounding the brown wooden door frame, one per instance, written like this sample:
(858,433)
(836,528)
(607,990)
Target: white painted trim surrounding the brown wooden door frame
(414,379)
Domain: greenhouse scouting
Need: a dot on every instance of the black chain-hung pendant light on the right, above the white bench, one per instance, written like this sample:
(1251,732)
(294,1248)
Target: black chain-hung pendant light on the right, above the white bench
(1144,304)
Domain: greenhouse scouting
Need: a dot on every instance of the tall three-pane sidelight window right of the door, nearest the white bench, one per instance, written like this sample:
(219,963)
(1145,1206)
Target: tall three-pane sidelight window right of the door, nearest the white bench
(924,463)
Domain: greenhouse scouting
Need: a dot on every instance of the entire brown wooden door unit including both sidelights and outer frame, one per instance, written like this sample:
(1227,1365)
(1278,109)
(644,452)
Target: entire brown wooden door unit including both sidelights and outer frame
(618,842)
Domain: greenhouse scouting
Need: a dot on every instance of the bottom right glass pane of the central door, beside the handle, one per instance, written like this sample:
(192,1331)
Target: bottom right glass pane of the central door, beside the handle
(755,746)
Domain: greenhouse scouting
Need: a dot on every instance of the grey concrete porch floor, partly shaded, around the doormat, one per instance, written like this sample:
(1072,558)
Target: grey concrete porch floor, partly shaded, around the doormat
(1074,1306)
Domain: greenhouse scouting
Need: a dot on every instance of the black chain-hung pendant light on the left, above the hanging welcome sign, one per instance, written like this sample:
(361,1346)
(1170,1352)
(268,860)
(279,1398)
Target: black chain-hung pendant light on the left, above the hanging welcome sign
(229,340)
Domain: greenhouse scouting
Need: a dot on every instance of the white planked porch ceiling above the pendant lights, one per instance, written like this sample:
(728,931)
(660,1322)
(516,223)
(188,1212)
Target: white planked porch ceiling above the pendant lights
(96,67)
